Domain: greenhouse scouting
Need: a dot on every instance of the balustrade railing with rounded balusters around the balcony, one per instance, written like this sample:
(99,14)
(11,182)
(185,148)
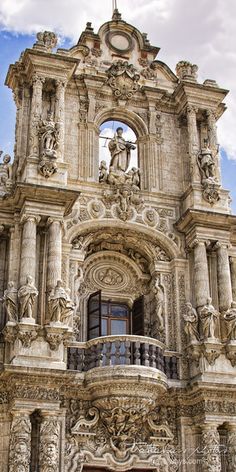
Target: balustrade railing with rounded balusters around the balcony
(121,350)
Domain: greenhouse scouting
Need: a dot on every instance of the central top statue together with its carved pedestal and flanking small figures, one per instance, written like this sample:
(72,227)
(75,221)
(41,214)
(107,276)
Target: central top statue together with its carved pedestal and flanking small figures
(120,174)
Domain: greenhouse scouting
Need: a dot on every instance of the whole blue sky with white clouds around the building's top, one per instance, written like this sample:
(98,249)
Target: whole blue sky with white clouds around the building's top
(203,35)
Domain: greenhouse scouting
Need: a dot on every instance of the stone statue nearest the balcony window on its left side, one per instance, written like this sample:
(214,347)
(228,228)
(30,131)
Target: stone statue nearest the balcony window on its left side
(61,308)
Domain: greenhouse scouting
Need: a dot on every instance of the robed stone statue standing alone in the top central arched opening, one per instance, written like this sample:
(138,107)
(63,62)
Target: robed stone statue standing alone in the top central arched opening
(120,151)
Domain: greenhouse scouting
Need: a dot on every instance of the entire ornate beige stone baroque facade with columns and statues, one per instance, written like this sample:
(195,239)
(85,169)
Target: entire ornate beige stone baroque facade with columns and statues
(117,282)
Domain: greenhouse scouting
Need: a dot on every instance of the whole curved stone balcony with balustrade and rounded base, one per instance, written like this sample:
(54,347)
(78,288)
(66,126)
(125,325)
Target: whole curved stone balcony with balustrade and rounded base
(123,366)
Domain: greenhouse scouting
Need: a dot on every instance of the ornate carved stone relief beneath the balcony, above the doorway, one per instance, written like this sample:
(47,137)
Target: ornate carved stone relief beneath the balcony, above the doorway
(114,435)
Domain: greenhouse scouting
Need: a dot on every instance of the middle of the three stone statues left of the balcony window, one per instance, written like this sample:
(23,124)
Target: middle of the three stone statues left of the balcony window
(26,295)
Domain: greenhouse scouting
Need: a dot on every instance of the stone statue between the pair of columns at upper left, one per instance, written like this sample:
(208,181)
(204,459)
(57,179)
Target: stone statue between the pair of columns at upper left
(49,135)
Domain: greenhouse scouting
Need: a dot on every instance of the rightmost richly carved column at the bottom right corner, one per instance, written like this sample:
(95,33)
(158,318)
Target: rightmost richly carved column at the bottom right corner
(210,448)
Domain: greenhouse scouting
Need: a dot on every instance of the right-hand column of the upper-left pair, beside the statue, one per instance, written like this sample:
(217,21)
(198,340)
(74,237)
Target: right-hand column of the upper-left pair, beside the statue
(60,116)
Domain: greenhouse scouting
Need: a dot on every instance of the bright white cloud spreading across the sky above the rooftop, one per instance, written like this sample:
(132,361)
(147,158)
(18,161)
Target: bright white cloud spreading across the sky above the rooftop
(202,32)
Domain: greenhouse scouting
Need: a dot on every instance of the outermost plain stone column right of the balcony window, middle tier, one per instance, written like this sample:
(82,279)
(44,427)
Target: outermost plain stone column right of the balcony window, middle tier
(224,279)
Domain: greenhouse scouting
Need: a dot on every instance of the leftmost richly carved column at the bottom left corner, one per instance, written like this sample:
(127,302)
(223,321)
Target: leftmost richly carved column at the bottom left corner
(20,442)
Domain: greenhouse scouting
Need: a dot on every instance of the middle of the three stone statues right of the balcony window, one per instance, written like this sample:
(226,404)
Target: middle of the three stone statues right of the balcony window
(209,317)
